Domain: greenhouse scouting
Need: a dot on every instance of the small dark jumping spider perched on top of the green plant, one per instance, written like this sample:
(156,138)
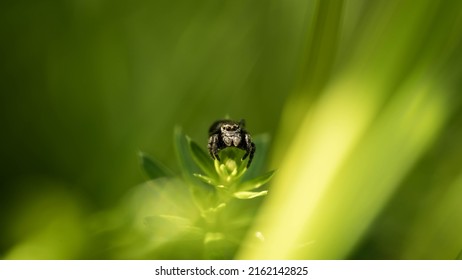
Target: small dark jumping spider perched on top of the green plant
(228,133)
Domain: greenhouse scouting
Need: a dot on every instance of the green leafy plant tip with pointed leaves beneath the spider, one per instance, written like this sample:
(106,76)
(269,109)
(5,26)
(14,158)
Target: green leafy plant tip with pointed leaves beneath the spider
(210,207)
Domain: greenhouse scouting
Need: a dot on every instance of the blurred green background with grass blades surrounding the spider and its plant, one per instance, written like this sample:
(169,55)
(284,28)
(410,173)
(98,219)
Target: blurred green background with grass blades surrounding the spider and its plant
(362,100)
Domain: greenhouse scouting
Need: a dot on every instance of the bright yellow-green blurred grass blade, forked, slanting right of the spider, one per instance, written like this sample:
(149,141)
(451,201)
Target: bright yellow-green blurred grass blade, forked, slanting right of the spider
(323,179)
